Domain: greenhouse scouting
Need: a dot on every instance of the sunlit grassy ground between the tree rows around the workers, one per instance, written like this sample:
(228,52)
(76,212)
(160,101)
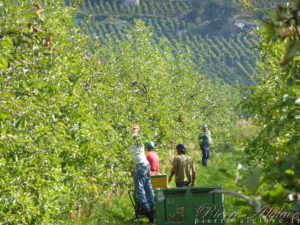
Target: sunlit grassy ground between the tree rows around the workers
(118,210)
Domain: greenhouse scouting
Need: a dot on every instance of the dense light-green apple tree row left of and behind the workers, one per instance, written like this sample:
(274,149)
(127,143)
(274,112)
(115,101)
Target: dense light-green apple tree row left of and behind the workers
(68,103)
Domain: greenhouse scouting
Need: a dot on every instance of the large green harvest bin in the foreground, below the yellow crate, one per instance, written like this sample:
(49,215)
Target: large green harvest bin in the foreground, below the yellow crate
(189,205)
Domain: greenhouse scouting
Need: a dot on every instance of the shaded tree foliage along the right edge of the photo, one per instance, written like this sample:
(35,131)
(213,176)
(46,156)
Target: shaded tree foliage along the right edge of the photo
(273,103)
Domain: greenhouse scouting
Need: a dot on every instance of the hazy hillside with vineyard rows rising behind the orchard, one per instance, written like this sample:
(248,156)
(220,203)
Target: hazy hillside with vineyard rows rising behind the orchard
(214,30)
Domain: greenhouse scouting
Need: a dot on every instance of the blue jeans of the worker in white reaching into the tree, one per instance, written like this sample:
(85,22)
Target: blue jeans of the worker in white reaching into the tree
(143,187)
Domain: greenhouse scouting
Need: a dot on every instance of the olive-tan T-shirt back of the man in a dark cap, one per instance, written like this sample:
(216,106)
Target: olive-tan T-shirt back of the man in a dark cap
(184,167)
